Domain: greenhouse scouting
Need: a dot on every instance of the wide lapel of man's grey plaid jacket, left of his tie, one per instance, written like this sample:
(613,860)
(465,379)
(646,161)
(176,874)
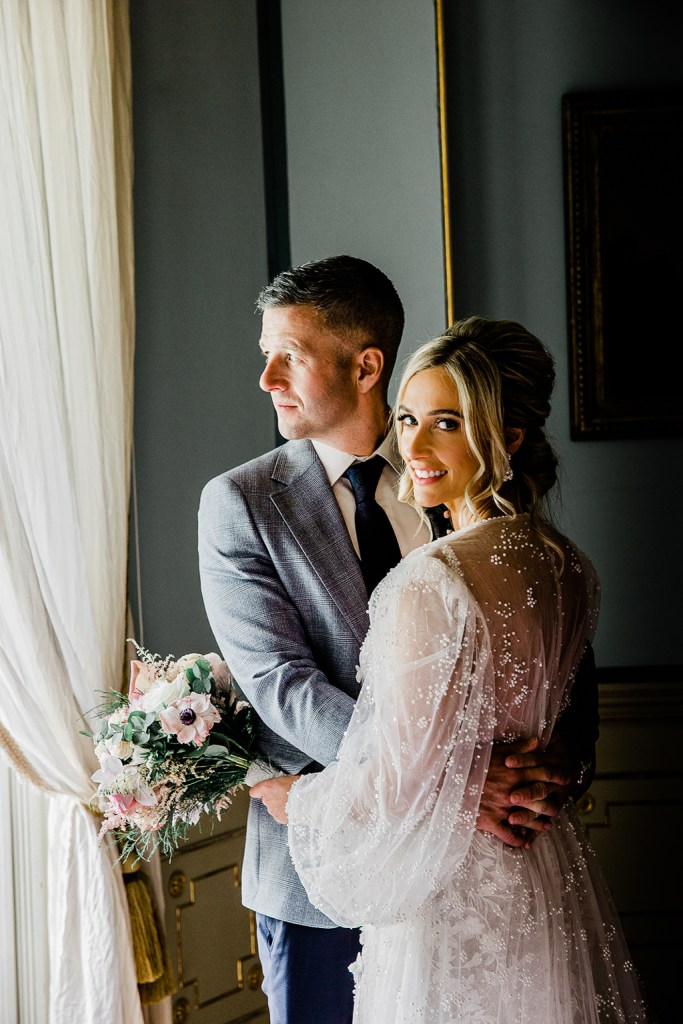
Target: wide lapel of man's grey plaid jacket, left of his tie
(310,509)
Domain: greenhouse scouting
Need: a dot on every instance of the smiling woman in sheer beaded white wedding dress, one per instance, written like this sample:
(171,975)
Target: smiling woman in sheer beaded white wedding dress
(475,639)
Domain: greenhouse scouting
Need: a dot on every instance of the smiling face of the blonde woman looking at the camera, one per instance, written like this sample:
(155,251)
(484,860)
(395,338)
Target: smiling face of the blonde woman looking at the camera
(433,441)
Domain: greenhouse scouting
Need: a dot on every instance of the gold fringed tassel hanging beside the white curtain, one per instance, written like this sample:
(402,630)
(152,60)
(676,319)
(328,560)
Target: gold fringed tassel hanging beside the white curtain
(153,966)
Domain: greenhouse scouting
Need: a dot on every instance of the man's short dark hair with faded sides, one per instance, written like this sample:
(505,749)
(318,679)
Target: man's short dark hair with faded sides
(351,295)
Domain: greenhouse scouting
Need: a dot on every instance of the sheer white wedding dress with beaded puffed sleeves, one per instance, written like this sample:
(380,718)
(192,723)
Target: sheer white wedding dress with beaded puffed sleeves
(474,638)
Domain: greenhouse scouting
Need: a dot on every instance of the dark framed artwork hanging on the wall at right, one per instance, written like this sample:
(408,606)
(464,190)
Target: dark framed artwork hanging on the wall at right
(624,219)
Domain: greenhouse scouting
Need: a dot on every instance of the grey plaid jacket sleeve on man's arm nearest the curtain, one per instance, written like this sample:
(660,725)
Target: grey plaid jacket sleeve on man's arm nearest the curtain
(263,637)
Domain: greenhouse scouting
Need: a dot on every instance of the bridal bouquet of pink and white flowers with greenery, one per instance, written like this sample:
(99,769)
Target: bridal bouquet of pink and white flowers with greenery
(179,745)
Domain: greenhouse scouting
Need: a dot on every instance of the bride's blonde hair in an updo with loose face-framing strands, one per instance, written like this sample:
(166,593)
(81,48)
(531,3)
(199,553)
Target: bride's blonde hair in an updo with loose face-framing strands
(505,377)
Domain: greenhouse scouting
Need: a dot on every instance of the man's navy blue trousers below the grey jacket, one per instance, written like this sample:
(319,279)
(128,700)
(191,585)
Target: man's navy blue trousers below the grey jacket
(307,976)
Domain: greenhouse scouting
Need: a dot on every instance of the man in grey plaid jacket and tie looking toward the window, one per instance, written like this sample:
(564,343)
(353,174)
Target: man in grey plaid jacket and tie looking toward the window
(285,595)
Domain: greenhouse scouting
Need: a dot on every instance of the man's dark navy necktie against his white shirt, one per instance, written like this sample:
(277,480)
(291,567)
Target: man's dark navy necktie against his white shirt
(377,541)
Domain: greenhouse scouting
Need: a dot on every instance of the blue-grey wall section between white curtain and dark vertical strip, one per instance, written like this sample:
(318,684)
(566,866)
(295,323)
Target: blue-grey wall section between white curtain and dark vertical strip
(200,262)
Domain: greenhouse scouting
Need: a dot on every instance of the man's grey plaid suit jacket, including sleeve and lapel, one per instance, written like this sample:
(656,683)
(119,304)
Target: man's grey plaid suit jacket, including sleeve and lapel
(287,605)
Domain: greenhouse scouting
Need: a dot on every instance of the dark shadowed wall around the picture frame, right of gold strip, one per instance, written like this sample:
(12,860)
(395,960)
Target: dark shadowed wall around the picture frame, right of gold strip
(508,66)
